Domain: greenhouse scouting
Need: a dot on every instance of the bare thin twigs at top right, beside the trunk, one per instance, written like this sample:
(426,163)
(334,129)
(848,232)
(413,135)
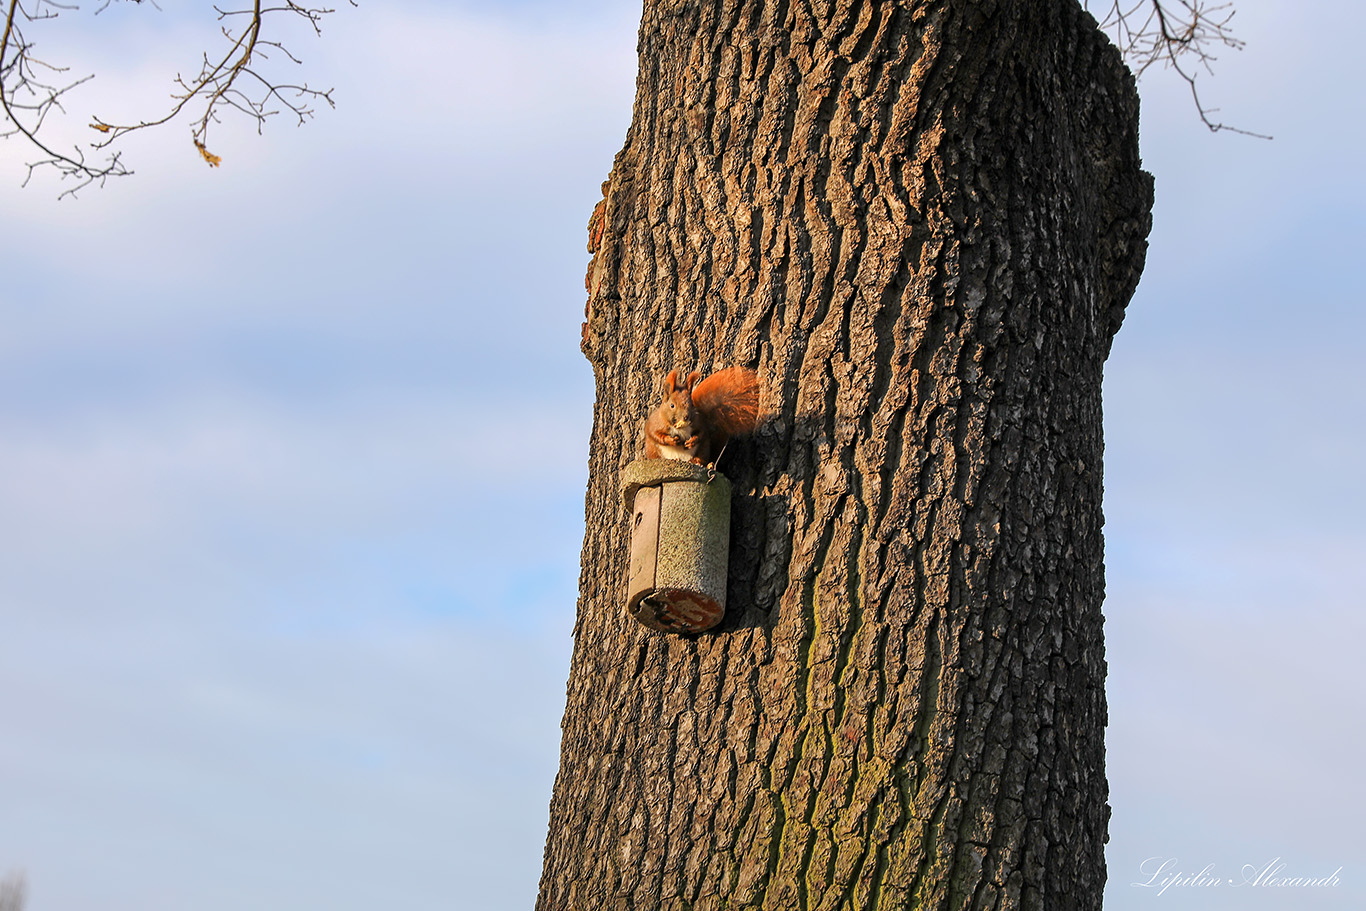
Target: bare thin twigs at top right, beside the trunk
(1181,35)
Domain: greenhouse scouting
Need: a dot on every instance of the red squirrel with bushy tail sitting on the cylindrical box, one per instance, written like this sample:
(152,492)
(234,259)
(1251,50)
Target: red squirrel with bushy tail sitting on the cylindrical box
(697,419)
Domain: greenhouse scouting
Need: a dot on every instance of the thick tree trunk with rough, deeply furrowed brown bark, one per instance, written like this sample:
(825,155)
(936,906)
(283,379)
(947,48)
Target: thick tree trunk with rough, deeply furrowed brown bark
(921,222)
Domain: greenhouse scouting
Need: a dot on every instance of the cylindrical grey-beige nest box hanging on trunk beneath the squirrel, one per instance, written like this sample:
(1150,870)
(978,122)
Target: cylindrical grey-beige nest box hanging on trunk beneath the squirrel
(681,540)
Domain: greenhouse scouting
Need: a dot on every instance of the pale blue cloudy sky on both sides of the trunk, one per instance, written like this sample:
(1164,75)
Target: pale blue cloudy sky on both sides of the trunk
(288,585)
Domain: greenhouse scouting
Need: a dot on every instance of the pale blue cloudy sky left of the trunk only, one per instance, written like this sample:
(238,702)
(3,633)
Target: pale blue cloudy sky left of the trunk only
(273,531)
